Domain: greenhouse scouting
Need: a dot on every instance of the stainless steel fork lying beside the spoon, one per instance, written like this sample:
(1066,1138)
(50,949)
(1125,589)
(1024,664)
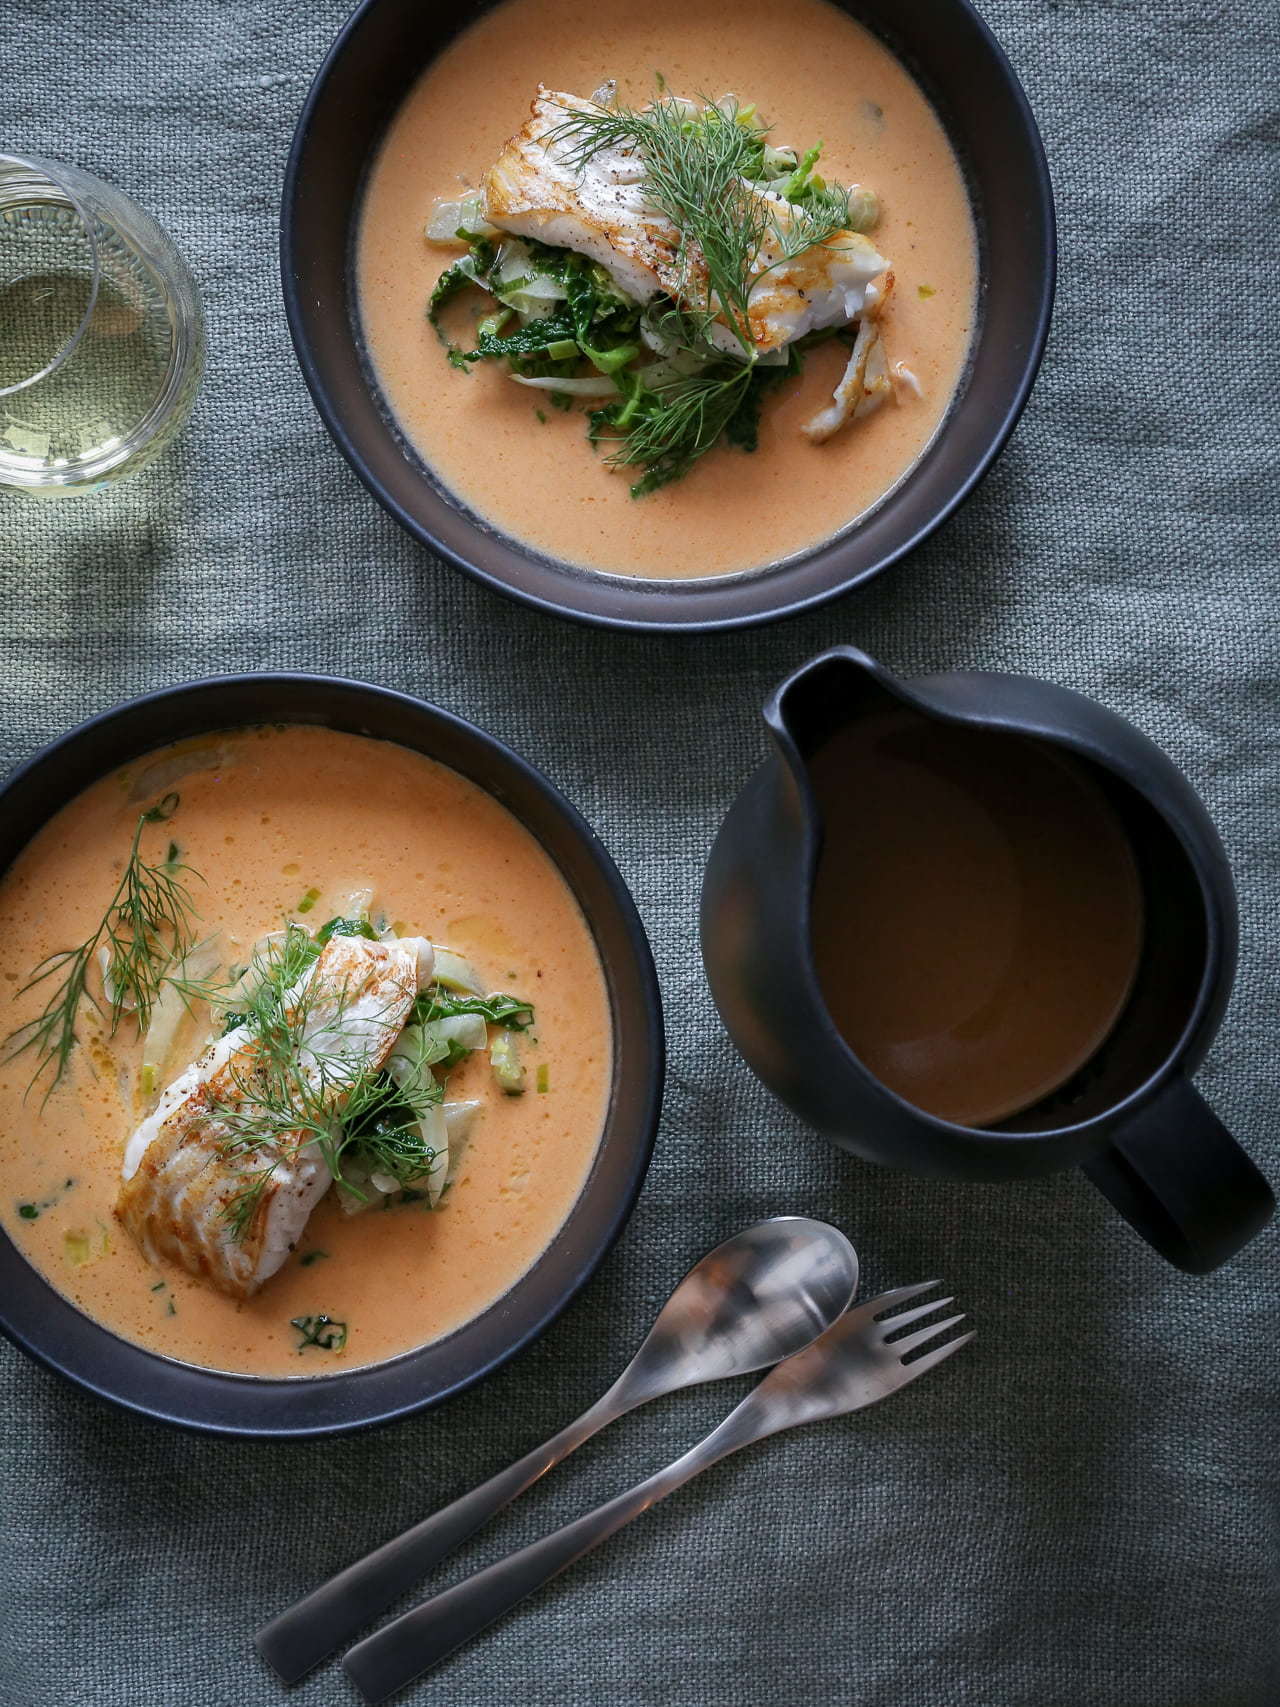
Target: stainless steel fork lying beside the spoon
(851,1366)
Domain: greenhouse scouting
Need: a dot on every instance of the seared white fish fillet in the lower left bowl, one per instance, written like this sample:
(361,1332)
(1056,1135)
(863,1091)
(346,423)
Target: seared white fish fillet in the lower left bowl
(178,1179)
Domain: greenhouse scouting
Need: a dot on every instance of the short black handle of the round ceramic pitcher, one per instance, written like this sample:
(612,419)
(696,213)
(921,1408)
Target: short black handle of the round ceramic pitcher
(1180,1180)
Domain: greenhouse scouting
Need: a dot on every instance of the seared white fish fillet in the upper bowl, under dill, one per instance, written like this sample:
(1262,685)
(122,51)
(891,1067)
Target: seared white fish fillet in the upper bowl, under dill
(535,192)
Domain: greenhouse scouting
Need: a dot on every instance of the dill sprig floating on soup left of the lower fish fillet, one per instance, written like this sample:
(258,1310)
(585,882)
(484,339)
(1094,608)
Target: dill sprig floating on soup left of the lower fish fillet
(146,933)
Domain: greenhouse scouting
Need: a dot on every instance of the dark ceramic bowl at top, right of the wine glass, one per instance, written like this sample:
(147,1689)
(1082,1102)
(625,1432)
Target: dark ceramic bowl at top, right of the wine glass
(957,61)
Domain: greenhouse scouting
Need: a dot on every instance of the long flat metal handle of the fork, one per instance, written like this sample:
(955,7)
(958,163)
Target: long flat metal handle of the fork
(419,1640)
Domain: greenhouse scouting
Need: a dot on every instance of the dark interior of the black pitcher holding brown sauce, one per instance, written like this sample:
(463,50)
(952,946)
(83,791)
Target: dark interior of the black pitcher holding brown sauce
(977,918)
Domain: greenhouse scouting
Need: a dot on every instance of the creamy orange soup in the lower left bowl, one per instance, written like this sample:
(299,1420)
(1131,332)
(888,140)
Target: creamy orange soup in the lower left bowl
(267,817)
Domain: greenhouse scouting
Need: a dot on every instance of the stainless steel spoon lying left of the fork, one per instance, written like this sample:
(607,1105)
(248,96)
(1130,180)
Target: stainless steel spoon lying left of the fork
(750,1303)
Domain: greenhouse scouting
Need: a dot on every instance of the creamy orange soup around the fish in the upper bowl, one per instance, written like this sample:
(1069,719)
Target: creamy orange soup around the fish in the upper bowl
(815,74)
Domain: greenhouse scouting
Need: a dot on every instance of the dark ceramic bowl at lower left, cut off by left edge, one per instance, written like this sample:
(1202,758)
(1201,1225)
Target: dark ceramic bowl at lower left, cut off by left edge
(44,1324)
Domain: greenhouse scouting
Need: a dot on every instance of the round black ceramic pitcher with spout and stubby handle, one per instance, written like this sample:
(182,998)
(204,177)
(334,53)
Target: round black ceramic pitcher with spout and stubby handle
(1131,1117)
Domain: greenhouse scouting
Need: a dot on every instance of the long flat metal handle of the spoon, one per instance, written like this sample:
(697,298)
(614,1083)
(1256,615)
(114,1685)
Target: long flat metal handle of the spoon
(308,1631)
